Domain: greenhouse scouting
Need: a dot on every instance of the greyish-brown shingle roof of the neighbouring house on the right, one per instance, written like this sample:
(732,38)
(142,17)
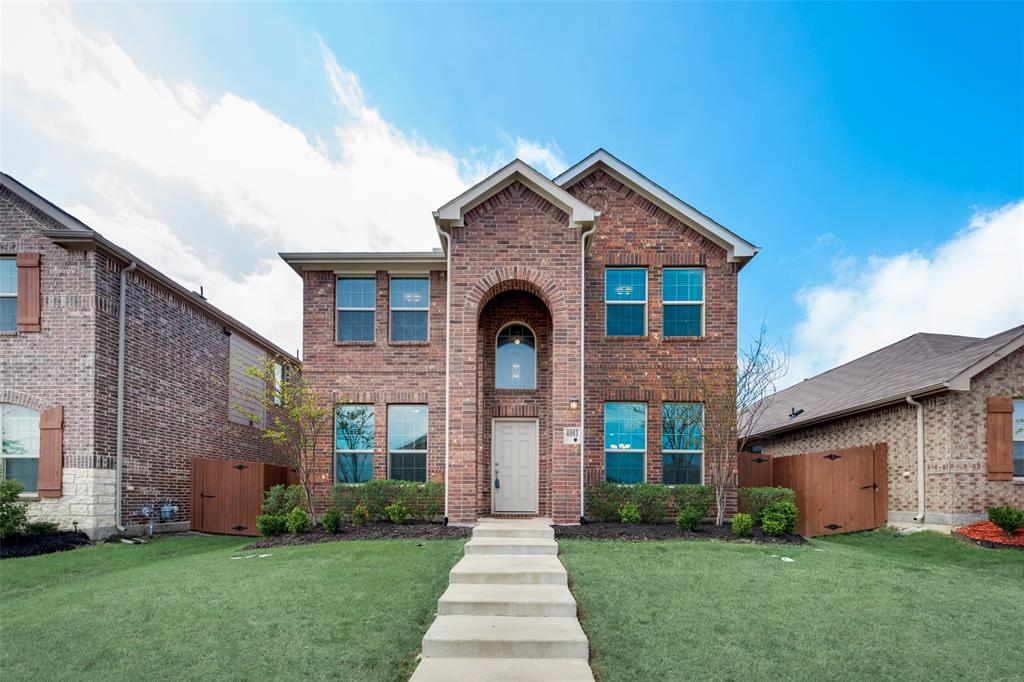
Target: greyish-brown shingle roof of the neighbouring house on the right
(920,365)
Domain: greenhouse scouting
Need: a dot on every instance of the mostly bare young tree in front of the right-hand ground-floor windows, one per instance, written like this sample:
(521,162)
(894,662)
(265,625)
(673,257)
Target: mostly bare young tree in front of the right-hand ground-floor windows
(735,399)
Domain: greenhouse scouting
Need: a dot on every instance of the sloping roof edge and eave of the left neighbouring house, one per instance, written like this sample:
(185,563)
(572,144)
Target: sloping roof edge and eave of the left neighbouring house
(75,234)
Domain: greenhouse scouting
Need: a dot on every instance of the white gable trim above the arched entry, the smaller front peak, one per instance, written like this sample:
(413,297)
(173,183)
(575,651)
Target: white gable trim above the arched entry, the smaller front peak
(452,214)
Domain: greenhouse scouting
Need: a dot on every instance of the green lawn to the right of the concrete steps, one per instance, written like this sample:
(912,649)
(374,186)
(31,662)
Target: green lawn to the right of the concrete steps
(868,607)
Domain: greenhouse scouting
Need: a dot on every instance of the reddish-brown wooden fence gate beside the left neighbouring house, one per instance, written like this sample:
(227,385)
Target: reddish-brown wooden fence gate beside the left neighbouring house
(227,494)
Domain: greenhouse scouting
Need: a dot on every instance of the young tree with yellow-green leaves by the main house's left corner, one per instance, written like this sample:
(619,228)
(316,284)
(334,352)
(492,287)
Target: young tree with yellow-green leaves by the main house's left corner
(290,414)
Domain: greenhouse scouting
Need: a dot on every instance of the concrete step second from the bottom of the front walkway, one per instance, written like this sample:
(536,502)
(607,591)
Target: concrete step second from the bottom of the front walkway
(505,637)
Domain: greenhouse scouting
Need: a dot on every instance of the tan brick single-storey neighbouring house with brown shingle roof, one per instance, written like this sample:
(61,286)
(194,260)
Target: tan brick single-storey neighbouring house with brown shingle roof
(971,394)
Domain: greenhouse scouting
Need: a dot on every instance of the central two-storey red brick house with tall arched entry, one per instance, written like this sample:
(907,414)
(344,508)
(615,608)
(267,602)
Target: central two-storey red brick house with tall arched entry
(553,306)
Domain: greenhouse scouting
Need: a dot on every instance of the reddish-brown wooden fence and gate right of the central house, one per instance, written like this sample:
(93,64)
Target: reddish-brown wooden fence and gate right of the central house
(839,491)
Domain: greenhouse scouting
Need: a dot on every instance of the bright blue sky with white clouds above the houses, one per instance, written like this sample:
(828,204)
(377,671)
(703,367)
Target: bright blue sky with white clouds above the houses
(866,148)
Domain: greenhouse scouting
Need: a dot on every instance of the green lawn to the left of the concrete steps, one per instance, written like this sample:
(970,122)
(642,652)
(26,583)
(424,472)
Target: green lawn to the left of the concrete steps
(182,609)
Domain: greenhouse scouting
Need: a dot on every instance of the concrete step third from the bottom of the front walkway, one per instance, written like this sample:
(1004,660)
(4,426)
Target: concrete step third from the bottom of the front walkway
(465,600)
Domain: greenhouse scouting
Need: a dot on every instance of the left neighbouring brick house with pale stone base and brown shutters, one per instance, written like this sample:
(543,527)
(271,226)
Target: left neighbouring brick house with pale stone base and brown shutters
(60,299)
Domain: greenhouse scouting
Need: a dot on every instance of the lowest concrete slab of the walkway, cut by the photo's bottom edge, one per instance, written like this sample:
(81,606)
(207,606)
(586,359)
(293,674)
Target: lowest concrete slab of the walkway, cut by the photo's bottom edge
(503,670)
